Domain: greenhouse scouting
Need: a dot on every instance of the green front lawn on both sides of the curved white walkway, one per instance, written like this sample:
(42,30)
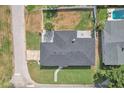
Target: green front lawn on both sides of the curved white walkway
(65,76)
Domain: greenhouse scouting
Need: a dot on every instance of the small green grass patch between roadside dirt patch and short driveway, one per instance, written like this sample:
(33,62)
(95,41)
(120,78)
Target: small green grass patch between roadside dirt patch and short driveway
(33,40)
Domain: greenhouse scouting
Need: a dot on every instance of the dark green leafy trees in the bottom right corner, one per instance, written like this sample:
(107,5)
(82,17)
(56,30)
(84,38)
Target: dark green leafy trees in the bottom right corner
(115,77)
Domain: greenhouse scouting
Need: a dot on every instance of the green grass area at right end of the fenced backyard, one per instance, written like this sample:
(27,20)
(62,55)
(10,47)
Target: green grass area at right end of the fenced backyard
(85,21)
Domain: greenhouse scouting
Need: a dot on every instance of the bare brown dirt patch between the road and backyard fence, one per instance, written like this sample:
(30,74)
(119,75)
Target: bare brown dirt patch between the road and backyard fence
(33,22)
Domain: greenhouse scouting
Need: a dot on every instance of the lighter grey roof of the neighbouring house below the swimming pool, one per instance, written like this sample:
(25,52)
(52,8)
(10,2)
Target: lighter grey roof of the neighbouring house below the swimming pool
(113,43)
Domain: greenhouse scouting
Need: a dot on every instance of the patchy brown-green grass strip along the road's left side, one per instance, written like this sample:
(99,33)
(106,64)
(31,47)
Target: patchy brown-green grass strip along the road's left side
(5,48)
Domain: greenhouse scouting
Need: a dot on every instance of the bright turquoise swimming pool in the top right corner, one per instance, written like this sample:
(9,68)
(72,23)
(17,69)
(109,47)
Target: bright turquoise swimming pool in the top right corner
(118,14)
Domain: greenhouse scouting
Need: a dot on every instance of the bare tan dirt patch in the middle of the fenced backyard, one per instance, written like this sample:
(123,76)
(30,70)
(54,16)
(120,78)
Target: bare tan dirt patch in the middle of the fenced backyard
(67,20)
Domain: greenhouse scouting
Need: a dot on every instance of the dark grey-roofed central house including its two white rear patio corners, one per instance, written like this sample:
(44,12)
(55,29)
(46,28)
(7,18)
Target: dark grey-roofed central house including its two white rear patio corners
(67,48)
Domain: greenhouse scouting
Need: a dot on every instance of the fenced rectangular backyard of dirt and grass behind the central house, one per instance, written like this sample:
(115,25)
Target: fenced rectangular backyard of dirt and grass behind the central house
(69,20)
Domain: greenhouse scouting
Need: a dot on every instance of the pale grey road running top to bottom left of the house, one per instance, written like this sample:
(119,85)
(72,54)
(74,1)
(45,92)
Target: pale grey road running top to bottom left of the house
(21,77)
